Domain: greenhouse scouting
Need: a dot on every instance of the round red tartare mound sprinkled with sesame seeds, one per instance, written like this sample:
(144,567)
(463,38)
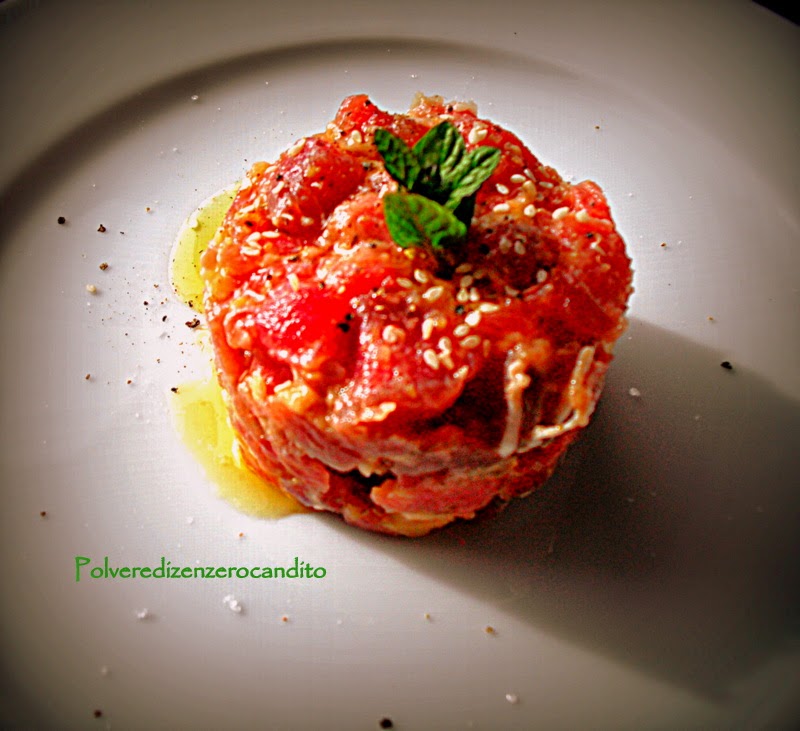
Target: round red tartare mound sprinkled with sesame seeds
(406,386)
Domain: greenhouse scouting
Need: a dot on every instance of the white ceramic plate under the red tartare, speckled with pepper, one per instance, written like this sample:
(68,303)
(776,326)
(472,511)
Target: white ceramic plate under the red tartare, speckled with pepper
(652,584)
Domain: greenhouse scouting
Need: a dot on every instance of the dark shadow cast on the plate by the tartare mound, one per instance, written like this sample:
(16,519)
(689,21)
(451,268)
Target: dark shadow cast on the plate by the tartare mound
(668,539)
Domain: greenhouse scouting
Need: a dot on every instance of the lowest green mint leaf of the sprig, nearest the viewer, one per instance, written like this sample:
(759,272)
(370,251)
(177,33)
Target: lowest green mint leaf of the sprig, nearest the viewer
(414,220)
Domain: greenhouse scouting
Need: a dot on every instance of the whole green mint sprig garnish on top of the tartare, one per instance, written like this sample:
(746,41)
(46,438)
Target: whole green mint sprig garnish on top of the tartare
(439,180)
